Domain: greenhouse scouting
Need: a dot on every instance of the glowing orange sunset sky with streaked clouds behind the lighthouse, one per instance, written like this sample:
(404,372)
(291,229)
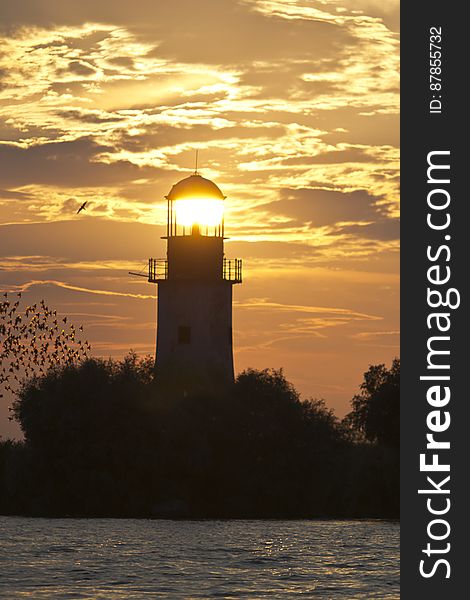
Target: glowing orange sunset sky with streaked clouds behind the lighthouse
(294,108)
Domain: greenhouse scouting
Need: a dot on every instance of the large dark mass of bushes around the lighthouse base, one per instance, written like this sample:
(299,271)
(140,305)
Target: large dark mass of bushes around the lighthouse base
(104,438)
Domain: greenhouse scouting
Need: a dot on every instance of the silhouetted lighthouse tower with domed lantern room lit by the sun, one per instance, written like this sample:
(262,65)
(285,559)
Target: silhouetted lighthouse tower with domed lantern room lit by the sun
(194,310)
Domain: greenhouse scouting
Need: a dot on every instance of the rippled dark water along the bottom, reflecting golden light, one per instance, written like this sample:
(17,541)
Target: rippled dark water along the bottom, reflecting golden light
(116,559)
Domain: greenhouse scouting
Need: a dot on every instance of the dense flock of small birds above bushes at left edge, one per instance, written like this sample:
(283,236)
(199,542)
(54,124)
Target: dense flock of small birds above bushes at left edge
(33,340)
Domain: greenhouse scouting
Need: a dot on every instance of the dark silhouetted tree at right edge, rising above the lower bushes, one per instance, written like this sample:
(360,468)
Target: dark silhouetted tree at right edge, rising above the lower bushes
(376,409)
